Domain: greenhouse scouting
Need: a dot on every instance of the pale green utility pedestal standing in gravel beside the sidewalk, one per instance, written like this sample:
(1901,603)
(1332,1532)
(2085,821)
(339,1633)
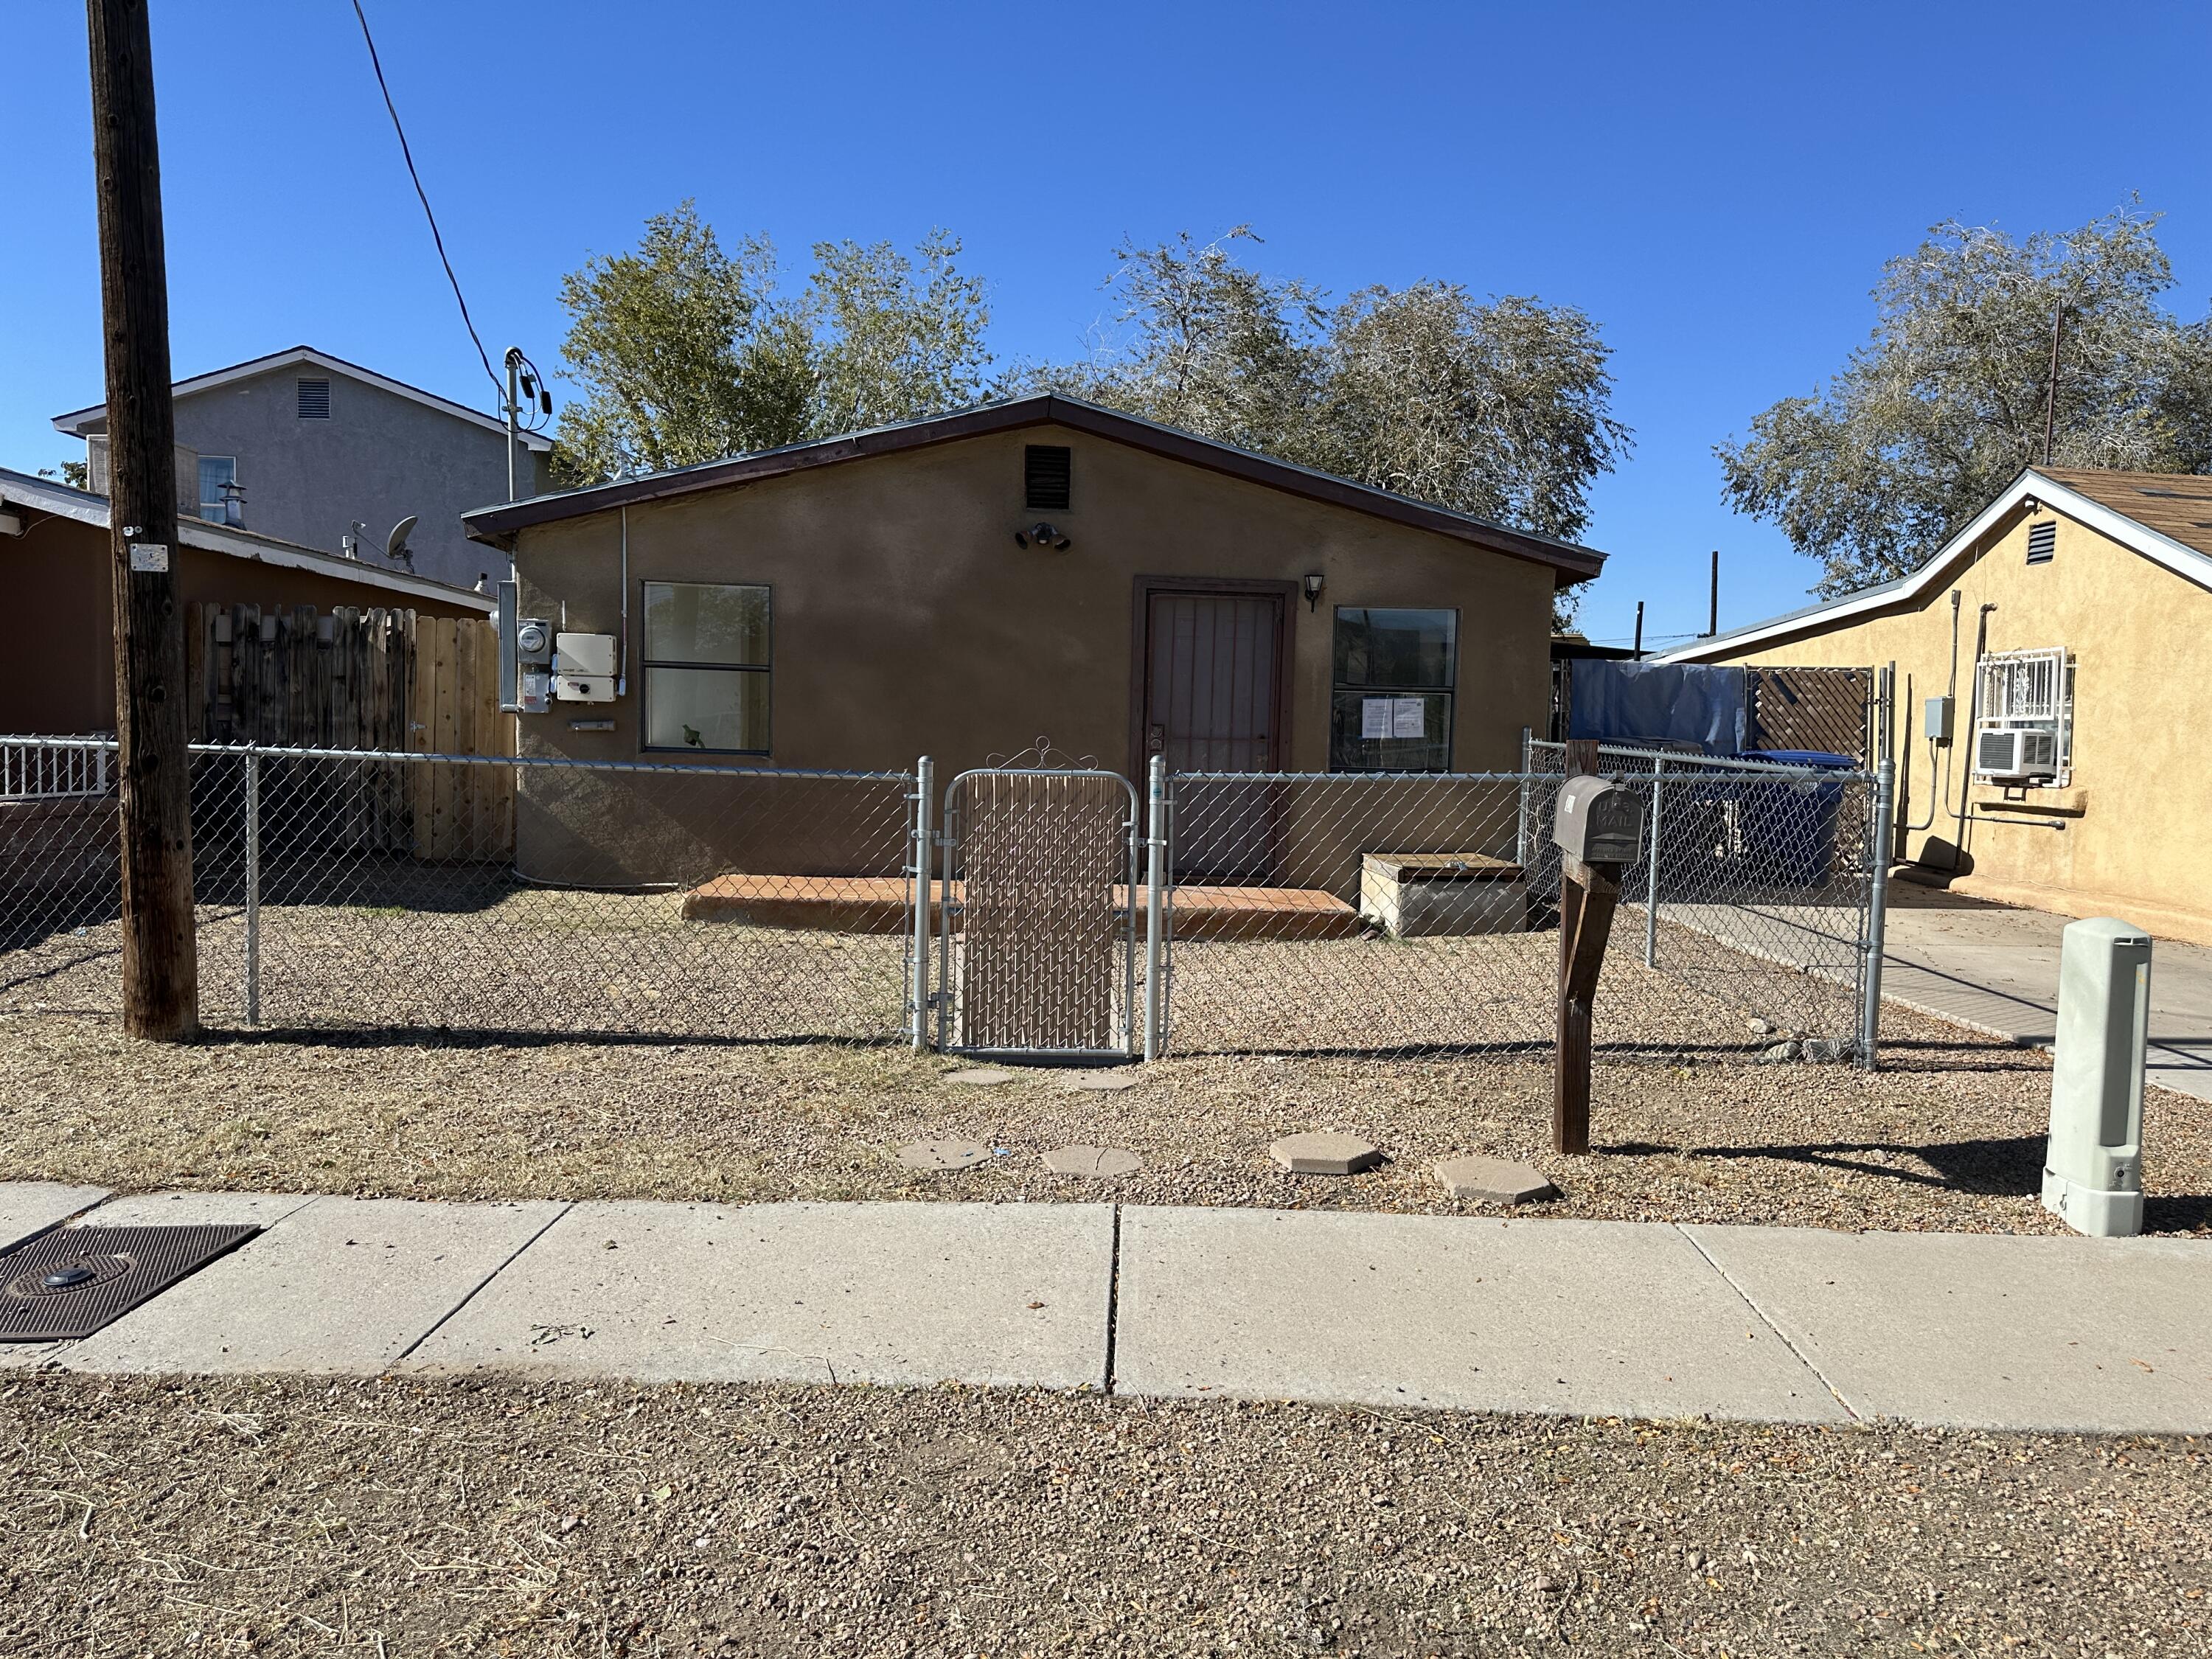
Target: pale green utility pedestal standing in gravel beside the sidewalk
(2094,1173)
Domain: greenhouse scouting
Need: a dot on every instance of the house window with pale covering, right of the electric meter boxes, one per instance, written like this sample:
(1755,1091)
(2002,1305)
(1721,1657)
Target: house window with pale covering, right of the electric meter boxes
(707,667)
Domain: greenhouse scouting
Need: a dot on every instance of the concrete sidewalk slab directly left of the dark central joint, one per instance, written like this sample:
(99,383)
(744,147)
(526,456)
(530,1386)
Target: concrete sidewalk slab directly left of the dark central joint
(813,1293)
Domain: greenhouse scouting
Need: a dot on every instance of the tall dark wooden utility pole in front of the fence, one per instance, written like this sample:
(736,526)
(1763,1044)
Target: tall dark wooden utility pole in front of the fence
(156,820)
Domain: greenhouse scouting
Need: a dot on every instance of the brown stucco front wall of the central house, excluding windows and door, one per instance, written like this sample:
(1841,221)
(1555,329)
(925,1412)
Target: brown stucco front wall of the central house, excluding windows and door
(908,623)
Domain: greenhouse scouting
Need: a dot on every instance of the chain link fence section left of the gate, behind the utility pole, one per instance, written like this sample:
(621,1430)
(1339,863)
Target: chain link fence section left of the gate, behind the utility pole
(346,890)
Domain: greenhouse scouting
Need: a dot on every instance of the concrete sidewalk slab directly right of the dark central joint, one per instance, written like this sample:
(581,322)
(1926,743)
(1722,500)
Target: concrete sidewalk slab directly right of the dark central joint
(1580,1317)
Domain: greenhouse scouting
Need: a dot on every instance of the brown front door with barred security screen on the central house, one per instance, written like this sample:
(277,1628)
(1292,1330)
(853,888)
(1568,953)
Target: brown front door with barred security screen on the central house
(1213,702)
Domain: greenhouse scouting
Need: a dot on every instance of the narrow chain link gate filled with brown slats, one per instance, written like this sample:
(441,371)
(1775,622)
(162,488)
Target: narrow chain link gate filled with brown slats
(1039,946)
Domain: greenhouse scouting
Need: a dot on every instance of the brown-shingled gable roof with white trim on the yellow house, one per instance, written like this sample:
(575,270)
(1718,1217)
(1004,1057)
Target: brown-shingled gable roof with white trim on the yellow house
(2162,517)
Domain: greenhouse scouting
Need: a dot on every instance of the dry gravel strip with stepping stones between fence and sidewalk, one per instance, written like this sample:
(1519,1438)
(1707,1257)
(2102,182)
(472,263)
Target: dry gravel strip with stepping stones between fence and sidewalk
(1948,1136)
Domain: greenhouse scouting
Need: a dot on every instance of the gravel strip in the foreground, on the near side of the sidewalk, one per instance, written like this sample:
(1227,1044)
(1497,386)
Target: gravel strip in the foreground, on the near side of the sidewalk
(408,1519)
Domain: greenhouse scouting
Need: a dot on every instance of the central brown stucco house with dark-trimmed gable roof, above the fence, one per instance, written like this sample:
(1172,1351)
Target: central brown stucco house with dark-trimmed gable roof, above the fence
(1043,567)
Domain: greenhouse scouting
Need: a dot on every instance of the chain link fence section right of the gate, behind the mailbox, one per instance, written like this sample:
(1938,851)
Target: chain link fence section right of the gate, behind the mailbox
(1419,912)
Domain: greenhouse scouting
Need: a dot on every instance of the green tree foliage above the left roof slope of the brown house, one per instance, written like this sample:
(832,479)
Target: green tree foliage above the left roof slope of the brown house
(689,353)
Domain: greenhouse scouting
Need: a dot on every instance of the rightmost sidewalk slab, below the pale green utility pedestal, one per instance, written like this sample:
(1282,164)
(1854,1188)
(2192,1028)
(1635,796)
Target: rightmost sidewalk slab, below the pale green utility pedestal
(1990,1331)
